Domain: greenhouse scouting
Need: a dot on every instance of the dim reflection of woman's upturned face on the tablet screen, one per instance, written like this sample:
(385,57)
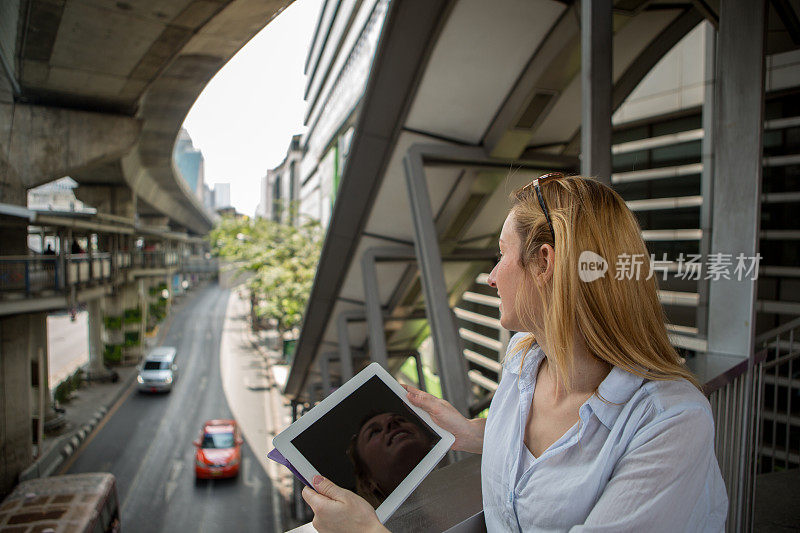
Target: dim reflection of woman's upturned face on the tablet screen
(384,451)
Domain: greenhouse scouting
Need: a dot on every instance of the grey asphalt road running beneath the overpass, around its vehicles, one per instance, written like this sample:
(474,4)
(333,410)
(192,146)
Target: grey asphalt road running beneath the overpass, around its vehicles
(147,442)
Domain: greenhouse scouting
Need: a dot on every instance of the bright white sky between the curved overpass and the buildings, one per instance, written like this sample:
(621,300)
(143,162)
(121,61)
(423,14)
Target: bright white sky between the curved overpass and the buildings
(246,116)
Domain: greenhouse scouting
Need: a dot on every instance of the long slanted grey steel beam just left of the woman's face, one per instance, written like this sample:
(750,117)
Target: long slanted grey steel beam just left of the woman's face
(444,329)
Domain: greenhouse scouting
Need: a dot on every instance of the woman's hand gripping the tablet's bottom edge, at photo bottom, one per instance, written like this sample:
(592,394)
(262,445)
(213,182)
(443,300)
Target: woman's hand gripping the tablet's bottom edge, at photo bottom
(337,509)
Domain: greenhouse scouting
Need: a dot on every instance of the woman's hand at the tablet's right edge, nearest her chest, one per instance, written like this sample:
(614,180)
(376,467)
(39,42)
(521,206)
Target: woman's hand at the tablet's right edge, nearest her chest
(468,433)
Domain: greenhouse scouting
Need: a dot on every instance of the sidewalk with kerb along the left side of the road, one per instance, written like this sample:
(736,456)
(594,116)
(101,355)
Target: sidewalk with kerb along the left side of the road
(86,409)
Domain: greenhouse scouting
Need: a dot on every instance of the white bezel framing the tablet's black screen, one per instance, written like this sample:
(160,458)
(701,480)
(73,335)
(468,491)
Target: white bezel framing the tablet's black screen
(283,441)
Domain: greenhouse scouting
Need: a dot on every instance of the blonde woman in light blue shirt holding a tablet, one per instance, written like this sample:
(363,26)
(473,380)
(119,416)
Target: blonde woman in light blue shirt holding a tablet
(596,424)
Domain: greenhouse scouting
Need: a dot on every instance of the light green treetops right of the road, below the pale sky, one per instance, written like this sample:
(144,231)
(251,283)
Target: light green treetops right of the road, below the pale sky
(283,258)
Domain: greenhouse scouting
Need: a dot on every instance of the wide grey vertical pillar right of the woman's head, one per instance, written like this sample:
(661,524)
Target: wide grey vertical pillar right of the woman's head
(736,215)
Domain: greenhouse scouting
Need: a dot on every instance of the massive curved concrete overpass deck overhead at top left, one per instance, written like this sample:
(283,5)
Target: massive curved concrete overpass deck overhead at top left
(99,91)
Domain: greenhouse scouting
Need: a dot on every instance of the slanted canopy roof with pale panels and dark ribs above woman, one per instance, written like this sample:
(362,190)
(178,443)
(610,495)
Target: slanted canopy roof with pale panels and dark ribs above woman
(489,93)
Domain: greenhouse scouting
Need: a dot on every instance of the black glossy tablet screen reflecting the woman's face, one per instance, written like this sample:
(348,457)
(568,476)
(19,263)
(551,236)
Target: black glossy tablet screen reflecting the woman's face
(368,443)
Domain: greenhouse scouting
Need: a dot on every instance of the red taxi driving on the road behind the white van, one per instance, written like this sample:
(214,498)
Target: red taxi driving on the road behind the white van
(219,450)
